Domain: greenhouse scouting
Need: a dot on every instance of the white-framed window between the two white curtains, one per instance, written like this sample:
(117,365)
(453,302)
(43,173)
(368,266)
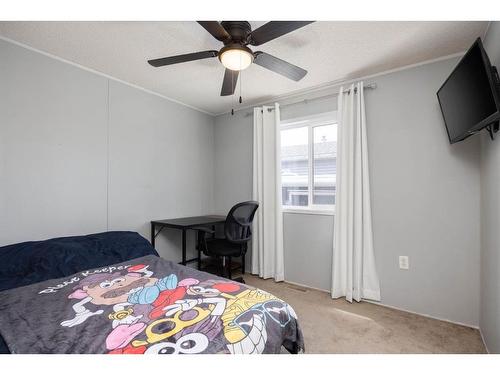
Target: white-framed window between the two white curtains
(308,162)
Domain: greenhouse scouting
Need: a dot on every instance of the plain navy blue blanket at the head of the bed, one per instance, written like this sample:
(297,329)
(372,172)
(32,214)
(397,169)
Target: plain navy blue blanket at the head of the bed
(32,262)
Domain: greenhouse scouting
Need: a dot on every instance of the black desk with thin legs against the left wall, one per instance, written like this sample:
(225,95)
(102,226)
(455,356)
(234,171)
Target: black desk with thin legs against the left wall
(183,224)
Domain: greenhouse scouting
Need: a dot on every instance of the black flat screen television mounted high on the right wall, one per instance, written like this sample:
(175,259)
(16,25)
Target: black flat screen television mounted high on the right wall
(469,98)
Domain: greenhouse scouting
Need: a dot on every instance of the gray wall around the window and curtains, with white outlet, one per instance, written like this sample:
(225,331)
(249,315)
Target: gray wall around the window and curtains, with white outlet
(425,197)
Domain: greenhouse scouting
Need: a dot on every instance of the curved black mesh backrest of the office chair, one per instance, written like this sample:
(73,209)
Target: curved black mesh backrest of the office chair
(239,220)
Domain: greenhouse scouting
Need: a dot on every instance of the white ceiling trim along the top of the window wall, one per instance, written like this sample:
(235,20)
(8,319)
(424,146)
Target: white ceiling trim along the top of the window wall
(337,83)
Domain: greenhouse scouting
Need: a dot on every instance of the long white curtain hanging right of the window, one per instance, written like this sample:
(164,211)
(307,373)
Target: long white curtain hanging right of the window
(354,271)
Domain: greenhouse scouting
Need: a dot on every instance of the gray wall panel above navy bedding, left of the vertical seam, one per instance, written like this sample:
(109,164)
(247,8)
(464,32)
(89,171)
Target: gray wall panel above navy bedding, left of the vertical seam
(52,147)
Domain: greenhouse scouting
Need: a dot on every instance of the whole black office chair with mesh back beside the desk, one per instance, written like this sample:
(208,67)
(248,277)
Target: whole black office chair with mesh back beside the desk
(237,233)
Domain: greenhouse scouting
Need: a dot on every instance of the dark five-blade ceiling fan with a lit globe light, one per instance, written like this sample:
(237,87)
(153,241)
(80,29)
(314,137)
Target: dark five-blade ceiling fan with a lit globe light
(236,56)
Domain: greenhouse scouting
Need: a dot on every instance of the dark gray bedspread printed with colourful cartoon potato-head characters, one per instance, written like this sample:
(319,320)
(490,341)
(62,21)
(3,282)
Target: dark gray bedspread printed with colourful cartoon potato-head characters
(146,305)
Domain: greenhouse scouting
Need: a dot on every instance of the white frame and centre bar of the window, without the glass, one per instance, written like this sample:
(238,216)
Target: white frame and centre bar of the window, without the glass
(327,118)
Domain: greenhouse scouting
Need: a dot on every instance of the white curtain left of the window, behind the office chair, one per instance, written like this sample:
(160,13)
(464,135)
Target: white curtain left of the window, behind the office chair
(267,239)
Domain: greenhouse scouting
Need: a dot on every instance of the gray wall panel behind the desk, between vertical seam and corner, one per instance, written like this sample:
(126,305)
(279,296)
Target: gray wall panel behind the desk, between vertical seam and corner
(161,164)
